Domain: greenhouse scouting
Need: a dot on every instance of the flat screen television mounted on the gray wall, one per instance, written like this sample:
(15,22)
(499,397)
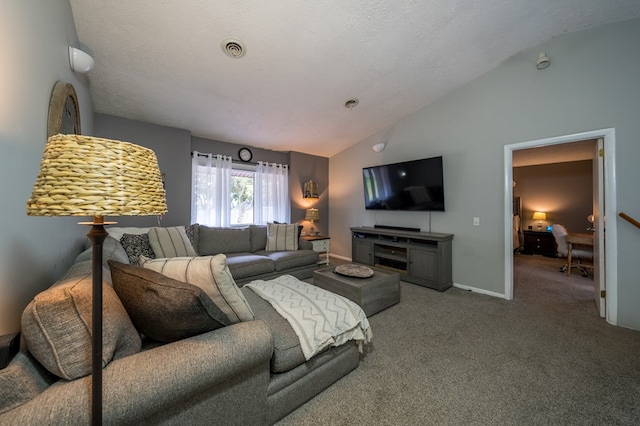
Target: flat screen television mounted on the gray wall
(409,185)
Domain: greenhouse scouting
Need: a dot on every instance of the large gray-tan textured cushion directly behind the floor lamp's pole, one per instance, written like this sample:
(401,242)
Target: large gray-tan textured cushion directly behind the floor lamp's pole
(56,325)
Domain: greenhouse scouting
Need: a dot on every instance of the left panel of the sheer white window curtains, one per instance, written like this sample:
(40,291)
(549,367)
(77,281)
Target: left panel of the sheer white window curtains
(210,189)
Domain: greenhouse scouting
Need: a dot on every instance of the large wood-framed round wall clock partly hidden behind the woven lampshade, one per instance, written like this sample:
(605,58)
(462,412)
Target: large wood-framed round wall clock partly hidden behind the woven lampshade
(64,110)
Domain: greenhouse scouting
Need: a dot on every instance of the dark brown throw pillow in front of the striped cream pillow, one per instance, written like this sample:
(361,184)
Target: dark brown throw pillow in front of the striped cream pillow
(162,308)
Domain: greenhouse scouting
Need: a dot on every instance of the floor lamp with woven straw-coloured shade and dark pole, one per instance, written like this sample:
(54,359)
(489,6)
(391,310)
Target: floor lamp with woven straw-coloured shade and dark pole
(86,176)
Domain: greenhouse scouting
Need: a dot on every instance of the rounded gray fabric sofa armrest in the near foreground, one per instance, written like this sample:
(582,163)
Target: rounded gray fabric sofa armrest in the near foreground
(217,374)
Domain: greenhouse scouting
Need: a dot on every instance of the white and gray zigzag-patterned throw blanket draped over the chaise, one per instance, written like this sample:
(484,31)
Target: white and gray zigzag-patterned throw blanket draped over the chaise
(319,317)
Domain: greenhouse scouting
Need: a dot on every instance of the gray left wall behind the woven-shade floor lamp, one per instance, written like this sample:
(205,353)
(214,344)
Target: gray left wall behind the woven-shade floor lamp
(34,251)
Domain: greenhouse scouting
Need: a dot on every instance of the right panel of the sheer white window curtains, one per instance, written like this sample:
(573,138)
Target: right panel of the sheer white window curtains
(271,193)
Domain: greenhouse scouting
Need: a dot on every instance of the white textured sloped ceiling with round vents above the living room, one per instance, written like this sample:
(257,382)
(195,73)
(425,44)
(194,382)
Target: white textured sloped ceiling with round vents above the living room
(162,61)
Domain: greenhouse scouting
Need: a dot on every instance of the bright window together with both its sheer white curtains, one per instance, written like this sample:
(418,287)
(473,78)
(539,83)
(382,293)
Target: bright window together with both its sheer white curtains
(227,194)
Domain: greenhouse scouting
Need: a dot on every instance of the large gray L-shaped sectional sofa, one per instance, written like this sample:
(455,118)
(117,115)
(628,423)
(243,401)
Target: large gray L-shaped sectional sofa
(251,372)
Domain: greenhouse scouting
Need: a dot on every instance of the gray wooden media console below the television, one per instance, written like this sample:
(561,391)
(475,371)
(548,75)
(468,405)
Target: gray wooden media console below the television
(423,258)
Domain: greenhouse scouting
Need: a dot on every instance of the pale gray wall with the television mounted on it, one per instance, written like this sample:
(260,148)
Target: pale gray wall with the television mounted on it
(511,104)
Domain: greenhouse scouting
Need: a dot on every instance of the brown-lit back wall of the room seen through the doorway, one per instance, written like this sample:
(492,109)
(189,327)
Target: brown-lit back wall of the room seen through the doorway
(562,190)
